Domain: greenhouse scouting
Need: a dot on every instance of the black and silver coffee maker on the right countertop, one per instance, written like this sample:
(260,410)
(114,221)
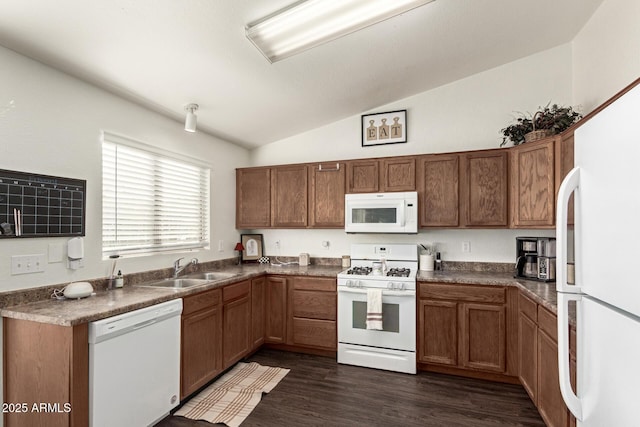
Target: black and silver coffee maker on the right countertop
(535,258)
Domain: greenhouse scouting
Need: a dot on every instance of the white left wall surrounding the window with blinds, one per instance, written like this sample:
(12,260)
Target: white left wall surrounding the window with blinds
(50,123)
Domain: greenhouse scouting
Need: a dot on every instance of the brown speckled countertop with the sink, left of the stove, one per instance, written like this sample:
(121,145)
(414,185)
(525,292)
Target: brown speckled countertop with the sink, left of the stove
(110,303)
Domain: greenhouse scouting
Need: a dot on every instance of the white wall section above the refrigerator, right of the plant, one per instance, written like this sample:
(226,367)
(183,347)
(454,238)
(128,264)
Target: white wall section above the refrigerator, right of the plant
(606,53)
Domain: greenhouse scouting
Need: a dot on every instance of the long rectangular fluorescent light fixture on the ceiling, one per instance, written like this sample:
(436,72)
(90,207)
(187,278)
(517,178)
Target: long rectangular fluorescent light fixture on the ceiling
(310,23)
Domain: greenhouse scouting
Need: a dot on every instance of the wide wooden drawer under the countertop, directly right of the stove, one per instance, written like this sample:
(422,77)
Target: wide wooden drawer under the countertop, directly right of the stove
(463,293)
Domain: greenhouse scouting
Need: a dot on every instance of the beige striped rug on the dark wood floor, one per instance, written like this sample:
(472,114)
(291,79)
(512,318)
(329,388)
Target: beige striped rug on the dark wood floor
(232,398)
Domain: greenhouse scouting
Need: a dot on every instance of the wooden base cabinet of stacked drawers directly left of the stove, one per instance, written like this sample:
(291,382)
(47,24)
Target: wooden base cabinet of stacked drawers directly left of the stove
(312,313)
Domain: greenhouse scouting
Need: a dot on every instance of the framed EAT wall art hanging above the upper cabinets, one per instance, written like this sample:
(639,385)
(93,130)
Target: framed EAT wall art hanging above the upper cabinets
(384,128)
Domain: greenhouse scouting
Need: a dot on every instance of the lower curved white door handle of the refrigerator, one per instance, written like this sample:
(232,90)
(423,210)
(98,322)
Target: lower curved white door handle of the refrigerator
(572,401)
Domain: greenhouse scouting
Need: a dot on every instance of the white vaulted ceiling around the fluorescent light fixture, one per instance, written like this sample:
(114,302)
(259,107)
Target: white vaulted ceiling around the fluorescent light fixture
(165,54)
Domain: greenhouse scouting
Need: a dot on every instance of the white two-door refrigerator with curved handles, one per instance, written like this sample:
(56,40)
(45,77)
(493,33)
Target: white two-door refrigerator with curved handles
(607,252)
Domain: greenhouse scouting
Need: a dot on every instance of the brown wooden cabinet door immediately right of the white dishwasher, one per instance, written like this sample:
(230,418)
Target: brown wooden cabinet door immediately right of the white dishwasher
(201,348)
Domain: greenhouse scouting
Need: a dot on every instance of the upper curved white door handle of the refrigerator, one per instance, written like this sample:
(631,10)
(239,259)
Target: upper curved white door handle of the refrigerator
(570,184)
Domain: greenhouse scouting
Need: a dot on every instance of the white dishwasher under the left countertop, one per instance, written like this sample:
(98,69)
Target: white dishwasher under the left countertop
(134,366)
